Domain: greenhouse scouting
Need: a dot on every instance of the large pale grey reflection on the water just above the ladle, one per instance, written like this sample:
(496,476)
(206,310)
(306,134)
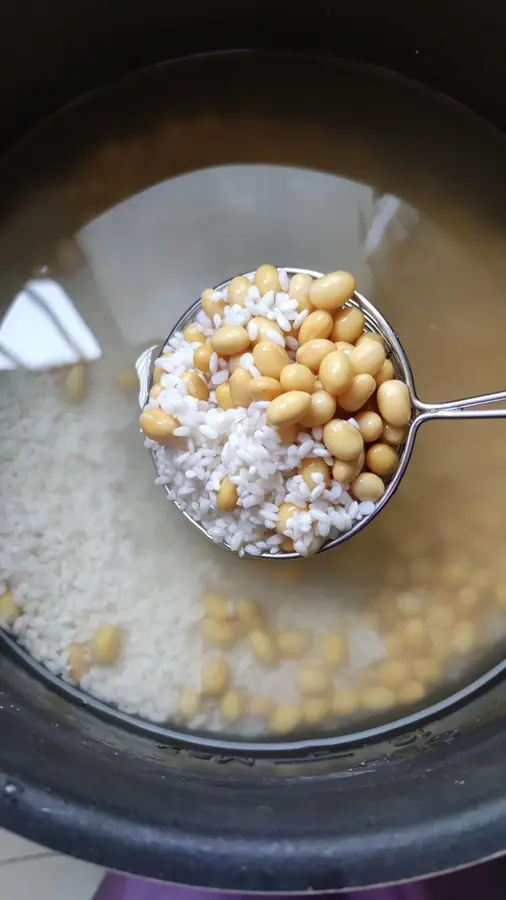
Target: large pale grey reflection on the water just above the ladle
(206,226)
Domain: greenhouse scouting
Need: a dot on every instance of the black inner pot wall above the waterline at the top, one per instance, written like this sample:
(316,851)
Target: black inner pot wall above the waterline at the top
(50,56)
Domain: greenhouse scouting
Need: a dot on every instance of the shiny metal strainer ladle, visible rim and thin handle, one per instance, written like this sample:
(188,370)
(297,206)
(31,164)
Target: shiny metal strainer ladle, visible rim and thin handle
(421,412)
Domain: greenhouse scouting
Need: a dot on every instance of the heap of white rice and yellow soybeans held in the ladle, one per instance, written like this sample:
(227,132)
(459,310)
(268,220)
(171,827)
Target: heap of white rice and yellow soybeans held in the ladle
(274,416)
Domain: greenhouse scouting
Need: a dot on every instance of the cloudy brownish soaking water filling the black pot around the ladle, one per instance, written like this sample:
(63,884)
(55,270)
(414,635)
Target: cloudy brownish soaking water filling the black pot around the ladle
(115,218)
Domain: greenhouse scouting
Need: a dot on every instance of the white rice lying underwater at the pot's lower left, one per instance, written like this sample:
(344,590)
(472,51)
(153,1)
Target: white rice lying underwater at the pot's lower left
(88,539)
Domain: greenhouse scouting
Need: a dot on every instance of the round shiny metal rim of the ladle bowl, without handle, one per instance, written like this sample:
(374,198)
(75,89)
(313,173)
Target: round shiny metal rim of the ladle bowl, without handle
(378,324)
